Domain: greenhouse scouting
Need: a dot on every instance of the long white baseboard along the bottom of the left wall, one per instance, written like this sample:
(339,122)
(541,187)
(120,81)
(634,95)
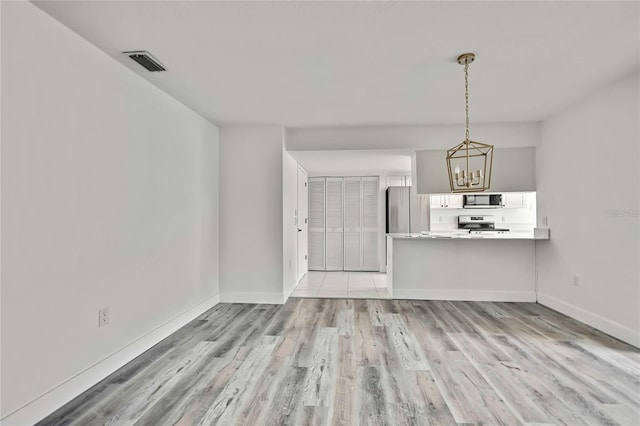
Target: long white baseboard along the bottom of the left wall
(55,398)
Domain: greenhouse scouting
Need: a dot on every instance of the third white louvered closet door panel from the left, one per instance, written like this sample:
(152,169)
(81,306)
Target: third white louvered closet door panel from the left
(352,224)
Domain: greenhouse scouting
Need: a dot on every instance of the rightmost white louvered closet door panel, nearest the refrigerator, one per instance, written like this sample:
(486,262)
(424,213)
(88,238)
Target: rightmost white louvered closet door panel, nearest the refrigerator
(370,227)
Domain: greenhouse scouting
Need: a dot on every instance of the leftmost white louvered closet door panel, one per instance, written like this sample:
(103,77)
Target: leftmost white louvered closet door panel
(316,224)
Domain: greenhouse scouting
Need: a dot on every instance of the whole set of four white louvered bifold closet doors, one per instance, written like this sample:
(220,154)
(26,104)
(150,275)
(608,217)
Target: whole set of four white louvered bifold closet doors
(343,223)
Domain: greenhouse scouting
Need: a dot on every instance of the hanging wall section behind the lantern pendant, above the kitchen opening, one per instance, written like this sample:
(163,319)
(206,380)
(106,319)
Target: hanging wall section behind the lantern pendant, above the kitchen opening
(513,170)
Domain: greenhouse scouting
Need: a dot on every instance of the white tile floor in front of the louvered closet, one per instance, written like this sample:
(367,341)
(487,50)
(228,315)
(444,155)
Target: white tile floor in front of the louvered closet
(339,284)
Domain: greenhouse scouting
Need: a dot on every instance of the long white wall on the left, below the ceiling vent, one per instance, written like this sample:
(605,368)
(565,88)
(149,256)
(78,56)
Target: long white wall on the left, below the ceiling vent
(109,198)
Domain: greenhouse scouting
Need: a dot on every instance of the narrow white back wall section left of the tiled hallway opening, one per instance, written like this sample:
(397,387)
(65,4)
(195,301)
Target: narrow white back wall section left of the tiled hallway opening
(251,214)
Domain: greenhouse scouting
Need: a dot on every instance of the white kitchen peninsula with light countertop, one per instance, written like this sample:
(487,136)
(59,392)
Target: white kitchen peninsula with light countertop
(463,266)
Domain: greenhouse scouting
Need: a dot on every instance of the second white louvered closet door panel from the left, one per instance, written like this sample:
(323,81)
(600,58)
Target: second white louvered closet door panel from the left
(334,225)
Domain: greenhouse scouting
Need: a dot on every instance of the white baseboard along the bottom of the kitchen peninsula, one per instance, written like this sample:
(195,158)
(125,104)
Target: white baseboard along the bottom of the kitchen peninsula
(464,295)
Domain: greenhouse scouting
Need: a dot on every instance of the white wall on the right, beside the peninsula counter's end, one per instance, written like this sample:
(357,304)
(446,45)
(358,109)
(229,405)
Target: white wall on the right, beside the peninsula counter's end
(588,187)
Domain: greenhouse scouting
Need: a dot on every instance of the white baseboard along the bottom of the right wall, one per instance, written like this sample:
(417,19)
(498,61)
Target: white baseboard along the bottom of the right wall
(596,321)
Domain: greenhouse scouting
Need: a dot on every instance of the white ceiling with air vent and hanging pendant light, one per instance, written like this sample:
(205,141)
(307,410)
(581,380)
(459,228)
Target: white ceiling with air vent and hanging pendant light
(339,63)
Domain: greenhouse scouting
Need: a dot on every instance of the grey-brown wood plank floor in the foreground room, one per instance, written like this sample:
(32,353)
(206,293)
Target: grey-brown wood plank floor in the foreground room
(372,362)
